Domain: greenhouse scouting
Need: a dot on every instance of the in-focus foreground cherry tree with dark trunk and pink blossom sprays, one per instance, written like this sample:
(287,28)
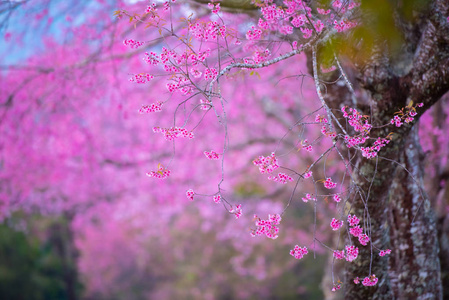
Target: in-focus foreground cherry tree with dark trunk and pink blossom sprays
(373,84)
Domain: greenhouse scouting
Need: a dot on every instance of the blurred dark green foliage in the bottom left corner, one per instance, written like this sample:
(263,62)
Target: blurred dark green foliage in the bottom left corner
(31,269)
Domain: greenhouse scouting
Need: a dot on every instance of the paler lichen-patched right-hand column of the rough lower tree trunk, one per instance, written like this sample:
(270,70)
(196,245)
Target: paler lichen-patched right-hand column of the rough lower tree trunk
(415,265)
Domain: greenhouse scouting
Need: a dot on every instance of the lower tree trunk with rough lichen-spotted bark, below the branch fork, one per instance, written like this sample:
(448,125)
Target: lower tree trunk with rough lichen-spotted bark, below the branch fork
(399,218)
